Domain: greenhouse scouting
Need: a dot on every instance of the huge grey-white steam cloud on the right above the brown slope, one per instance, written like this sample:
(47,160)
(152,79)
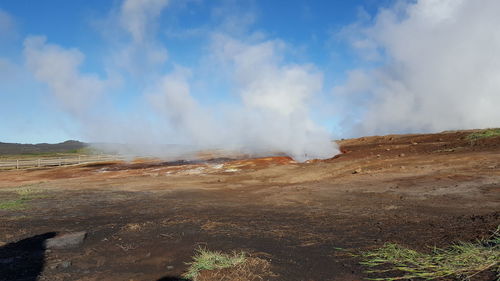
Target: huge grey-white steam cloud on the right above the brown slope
(436,67)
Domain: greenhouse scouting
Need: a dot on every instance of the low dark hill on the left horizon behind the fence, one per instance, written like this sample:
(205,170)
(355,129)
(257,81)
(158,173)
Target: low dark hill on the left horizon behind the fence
(20,148)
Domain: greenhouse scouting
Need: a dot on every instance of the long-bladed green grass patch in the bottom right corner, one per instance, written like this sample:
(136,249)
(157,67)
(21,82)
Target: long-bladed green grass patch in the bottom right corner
(462,261)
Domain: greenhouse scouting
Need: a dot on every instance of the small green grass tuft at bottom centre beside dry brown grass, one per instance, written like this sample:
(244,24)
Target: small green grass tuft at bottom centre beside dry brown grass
(211,260)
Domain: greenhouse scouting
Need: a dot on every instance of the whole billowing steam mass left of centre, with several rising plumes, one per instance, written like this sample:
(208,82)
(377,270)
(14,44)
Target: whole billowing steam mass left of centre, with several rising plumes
(271,115)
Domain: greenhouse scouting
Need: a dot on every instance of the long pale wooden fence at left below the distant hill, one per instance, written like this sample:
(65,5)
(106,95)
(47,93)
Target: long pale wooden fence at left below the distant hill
(56,161)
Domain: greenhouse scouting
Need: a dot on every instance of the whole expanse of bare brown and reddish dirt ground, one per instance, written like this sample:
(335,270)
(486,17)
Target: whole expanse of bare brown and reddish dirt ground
(144,220)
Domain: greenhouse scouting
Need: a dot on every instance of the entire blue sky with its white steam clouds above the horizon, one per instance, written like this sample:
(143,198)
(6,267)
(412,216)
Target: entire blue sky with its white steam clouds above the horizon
(105,70)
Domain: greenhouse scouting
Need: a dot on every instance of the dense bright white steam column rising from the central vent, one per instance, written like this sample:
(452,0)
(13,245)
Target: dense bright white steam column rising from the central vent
(276,99)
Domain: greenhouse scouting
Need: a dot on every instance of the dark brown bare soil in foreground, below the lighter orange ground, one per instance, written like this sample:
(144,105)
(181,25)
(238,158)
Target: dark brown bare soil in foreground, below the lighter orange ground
(147,236)
